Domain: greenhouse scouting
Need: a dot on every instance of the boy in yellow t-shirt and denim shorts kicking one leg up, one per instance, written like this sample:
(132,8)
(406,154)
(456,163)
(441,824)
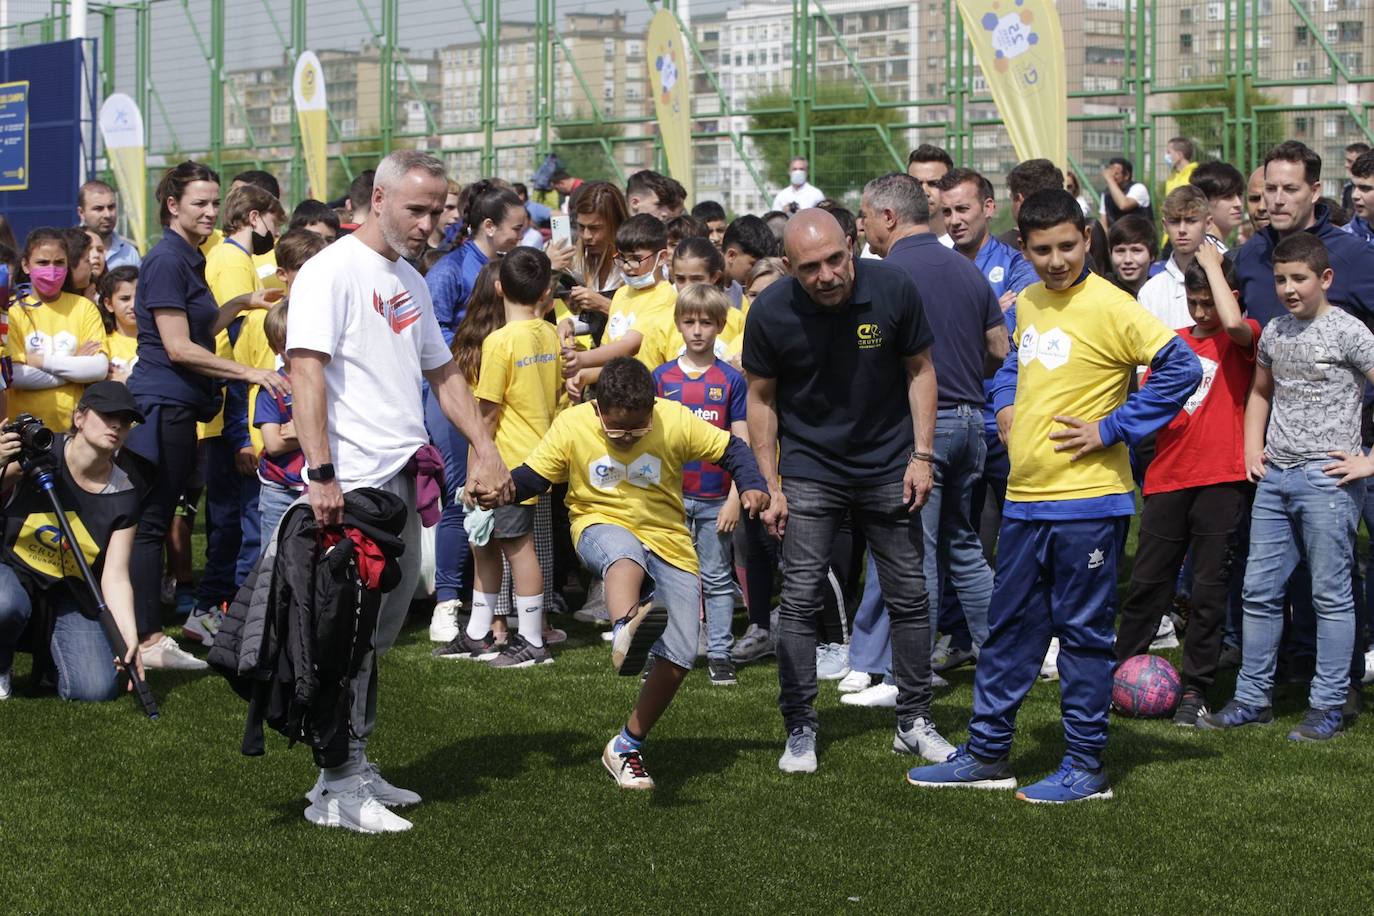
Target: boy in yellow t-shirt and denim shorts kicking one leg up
(623,458)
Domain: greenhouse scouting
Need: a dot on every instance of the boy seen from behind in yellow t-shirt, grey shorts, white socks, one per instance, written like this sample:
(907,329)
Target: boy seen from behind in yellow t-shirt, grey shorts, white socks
(517,392)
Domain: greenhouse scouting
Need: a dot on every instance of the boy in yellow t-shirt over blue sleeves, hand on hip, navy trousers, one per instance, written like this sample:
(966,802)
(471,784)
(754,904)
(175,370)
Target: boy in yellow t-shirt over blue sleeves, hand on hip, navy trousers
(1063,410)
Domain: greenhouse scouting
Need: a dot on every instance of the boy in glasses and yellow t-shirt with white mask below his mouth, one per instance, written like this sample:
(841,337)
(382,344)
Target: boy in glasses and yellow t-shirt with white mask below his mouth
(642,245)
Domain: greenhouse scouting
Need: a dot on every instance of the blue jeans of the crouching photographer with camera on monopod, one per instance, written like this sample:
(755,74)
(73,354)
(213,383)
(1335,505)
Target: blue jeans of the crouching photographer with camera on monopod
(80,652)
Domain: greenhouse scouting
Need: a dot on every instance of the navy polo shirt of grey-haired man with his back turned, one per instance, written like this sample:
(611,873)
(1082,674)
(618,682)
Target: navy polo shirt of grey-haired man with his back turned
(961,308)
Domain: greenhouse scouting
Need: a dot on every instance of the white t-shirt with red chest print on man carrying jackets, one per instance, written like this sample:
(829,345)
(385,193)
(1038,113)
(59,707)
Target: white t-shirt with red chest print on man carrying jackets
(376,321)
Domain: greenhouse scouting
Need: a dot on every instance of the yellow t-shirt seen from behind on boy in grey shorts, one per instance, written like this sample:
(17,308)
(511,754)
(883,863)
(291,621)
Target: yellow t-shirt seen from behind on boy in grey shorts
(521,373)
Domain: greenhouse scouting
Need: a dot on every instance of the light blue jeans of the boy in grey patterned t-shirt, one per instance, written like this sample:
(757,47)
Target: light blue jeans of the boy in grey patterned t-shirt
(1300,514)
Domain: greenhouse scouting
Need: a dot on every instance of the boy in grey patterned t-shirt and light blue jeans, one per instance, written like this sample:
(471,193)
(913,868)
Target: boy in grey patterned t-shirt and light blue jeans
(1303,453)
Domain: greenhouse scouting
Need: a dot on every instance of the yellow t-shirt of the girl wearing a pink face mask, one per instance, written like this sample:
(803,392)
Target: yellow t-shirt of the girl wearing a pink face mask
(52,329)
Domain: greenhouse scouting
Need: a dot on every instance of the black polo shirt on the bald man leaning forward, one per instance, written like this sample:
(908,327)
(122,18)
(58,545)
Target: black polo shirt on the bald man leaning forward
(843,410)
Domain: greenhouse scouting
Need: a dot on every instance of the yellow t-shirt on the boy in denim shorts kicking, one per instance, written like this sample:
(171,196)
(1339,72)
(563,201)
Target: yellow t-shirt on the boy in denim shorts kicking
(638,488)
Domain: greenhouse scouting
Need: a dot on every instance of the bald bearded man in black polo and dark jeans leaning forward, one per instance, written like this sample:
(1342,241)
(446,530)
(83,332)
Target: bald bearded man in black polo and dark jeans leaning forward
(840,377)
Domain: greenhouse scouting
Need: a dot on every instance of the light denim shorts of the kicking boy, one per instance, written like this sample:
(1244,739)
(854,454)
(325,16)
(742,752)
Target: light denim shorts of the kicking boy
(677,590)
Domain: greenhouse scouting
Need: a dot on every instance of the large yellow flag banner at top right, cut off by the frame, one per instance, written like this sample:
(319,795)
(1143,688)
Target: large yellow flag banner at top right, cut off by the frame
(1020,49)
